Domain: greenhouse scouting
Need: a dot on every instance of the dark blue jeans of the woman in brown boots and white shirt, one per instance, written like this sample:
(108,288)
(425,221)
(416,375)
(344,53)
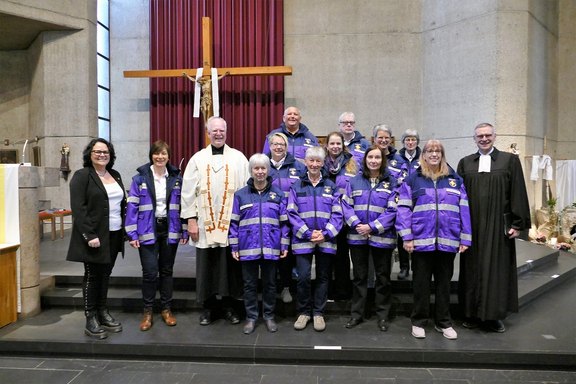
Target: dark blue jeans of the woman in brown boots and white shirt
(157,265)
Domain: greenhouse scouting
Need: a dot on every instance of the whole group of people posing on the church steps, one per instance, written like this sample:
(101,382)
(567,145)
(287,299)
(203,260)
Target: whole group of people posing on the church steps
(299,209)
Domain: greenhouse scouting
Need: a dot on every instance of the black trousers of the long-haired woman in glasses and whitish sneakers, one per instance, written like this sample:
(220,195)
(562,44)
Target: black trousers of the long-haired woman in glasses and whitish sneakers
(425,265)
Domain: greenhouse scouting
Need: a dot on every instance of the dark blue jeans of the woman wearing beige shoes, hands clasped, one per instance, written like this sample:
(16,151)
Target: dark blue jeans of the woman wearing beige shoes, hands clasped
(309,303)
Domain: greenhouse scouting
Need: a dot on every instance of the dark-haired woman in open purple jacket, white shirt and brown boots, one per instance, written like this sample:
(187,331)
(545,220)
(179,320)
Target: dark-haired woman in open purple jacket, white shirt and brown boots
(154,227)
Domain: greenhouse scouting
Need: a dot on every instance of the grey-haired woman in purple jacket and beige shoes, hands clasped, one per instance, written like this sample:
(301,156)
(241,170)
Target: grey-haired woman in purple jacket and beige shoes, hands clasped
(315,214)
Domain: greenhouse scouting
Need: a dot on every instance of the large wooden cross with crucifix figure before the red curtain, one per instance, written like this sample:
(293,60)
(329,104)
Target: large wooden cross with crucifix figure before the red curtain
(206,79)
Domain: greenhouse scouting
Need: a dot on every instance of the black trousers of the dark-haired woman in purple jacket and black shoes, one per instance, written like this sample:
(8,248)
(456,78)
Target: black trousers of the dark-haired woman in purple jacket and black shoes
(382,259)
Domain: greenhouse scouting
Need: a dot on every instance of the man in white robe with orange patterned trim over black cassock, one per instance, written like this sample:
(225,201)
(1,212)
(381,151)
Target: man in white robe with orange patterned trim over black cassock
(210,180)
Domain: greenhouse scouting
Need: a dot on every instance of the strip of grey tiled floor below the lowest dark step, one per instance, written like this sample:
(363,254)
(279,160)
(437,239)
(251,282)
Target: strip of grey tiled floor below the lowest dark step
(74,371)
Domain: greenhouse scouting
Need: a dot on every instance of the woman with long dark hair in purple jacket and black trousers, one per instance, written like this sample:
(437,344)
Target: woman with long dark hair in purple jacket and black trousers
(369,206)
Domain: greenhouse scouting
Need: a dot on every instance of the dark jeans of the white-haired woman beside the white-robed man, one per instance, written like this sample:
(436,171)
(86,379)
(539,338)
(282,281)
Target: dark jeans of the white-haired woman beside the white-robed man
(250,276)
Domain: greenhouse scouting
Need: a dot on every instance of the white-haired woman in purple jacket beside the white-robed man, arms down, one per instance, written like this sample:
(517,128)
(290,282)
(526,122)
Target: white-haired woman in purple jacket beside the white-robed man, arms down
(259,236)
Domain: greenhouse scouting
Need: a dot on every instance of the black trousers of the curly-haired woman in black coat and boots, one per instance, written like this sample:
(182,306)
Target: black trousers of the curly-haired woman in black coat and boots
(97,277)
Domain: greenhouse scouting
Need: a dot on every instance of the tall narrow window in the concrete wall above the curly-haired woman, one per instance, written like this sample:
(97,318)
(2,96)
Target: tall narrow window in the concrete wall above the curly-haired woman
(103,67)
